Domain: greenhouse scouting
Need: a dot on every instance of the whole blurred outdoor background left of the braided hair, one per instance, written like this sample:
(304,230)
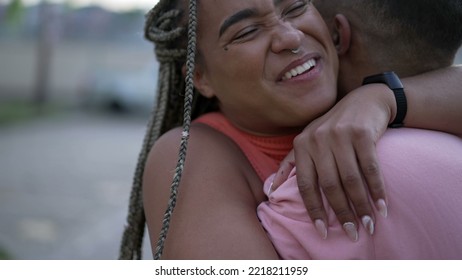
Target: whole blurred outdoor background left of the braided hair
(77,82)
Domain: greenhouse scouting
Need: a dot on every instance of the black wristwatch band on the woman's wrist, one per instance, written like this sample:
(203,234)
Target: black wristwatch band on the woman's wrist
(394,83)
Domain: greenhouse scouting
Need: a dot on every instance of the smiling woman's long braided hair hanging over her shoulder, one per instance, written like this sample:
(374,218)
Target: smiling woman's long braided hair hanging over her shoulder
(165,27)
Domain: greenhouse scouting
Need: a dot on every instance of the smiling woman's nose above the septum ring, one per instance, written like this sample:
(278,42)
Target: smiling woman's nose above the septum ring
(285,37)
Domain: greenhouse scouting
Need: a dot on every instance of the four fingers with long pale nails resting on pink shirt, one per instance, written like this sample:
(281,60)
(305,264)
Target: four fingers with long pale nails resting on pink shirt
(335,169)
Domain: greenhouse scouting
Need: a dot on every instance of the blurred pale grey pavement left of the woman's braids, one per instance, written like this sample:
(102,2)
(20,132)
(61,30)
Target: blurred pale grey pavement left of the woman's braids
(64,185)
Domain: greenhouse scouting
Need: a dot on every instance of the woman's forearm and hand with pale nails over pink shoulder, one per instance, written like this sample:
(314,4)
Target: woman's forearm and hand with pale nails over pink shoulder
(336,153)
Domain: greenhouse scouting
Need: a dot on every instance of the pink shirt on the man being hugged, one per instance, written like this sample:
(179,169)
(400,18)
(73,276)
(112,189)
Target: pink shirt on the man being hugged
(423,176)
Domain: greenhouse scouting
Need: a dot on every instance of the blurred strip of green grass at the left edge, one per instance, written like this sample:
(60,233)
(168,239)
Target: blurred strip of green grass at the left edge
(12,111)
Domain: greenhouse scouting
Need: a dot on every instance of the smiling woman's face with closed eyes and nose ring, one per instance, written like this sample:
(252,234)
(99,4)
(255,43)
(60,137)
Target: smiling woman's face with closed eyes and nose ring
(246,62)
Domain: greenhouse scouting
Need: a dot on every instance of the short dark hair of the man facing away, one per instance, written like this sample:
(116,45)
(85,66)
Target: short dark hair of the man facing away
(409,29)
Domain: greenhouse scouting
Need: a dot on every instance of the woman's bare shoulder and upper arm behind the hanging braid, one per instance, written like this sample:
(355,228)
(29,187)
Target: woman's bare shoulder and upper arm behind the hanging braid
(215,216)
